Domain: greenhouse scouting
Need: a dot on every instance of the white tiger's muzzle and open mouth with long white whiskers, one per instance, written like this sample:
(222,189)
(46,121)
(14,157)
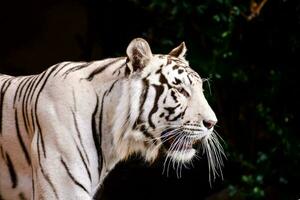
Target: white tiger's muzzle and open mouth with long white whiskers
(182,143)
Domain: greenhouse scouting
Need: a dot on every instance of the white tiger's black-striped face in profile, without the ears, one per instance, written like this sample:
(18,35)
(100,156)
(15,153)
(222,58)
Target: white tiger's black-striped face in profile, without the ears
(183,114)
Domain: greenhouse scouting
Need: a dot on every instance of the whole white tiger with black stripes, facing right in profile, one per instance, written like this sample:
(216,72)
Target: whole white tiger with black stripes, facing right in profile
(64,130)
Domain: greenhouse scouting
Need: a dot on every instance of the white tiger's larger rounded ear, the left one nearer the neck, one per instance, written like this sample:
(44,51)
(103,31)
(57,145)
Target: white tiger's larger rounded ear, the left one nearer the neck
(139,53)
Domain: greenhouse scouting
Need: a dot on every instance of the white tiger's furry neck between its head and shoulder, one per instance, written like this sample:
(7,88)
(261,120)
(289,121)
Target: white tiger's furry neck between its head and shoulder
(116,102)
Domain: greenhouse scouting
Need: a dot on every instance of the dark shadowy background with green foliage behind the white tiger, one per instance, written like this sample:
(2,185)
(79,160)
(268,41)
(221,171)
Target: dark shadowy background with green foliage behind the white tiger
(248,49)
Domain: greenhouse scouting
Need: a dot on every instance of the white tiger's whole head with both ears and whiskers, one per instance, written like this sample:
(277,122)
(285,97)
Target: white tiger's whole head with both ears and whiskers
(168,110)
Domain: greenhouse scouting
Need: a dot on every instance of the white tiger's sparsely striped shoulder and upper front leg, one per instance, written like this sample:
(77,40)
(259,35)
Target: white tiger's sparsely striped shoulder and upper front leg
(66,147)
